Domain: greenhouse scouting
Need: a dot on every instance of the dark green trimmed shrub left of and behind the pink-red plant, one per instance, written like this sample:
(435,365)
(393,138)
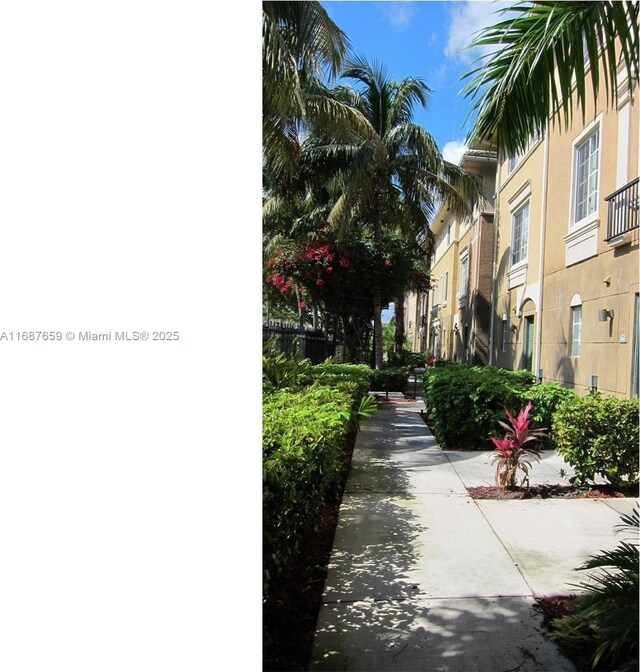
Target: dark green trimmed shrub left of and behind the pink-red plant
(465,403)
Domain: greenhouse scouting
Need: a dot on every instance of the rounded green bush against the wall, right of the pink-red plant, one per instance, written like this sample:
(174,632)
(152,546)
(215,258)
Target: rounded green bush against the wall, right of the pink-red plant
(599,435)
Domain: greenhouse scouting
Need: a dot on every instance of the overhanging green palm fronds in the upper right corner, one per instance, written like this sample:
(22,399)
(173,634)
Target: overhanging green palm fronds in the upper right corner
(542,54)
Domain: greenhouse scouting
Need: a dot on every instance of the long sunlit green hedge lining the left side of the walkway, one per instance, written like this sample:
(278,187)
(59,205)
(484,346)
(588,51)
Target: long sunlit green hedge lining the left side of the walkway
(304,433)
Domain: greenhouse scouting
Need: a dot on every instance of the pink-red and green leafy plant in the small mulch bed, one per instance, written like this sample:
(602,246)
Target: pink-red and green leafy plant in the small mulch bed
(512,452)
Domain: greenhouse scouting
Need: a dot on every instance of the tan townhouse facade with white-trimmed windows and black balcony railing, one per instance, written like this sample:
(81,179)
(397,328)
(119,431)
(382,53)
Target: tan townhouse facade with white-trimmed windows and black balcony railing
(564,260)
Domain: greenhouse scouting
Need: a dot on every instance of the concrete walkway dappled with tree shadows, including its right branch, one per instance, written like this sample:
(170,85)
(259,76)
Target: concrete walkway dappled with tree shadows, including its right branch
(422,577)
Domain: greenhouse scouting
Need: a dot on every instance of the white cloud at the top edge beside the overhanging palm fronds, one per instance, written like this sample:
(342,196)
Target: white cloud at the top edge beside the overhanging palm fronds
(466,18)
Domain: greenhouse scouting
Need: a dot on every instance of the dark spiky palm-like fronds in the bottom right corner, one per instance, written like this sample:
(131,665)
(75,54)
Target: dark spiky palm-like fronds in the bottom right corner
(606,615)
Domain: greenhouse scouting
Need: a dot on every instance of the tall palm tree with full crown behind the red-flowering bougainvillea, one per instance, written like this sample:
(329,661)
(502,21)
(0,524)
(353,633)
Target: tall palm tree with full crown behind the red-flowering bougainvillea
(393,173)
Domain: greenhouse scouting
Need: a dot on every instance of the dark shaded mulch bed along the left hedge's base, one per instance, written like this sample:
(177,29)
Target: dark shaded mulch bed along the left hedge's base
(289,618)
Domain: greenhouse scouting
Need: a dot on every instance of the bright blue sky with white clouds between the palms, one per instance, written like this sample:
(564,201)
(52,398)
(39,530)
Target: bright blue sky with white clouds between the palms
(422,39)
